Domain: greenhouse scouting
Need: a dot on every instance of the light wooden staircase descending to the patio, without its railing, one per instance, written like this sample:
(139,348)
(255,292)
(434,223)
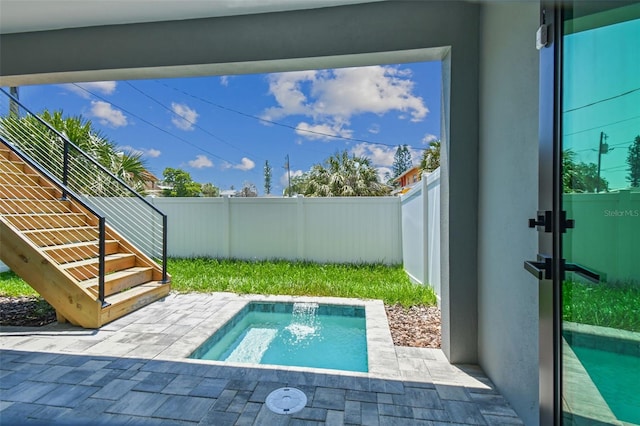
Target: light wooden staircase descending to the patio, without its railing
(53,245)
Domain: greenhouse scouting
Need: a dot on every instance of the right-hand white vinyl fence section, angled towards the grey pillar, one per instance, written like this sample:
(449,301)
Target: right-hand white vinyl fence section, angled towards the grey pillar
(421,231)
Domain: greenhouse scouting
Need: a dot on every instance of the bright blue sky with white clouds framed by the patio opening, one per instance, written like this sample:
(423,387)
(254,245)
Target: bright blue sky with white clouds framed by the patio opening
(223,129)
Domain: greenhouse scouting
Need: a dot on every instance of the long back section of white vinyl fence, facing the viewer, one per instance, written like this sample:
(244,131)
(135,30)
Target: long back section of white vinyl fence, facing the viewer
(335,230)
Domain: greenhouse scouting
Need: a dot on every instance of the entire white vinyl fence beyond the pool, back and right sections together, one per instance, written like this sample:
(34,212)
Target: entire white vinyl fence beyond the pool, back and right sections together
(388,230)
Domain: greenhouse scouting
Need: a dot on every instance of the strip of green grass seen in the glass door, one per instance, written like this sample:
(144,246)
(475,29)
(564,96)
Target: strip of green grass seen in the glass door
(604,304)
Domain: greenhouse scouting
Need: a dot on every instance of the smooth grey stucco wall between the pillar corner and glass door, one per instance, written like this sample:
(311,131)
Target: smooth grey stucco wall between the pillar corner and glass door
(508,194)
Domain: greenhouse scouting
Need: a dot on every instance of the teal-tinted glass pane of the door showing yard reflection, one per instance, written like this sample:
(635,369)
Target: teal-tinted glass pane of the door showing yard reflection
(601,193)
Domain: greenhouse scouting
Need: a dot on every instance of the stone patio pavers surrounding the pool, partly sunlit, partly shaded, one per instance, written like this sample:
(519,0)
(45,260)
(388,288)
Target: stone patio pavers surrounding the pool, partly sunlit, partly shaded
(134,371)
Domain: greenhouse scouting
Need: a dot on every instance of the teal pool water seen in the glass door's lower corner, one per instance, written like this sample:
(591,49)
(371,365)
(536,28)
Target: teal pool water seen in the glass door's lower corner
(617,377)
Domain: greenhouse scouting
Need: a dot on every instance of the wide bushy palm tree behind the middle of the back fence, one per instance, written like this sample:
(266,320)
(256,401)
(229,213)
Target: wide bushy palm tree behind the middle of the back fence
(342,176)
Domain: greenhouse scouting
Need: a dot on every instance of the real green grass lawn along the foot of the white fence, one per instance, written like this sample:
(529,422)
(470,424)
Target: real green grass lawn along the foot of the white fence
(389,283)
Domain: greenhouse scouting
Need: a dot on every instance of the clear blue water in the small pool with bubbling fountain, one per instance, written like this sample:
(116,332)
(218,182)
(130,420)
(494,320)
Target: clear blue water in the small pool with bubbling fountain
(293,334)
